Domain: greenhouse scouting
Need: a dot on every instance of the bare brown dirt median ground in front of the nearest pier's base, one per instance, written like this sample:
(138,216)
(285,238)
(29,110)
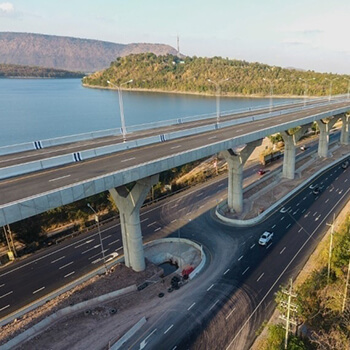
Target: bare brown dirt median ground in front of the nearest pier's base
(100,326)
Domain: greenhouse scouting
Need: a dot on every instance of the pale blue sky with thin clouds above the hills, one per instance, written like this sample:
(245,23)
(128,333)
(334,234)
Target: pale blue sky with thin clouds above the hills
(306,34)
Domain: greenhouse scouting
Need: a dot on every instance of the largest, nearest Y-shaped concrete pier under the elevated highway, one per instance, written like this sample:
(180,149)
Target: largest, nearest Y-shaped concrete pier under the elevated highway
(129,203)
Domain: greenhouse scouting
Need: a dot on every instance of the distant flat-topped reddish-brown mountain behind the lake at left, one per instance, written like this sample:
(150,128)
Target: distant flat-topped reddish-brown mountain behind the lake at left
(74,54)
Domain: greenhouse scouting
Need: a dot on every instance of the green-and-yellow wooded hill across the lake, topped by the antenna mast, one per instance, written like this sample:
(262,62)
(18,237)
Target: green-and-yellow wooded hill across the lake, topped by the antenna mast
(170,73)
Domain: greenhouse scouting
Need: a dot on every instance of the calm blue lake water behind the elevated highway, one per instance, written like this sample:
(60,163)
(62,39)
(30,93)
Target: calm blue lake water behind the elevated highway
(38,109)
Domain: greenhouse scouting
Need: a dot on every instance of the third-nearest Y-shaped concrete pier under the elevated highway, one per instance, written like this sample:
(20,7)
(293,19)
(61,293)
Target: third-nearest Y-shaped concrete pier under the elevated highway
(290,141)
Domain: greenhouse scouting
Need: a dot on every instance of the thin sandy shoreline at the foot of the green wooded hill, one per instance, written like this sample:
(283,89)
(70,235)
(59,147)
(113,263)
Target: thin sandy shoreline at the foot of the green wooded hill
(194,93)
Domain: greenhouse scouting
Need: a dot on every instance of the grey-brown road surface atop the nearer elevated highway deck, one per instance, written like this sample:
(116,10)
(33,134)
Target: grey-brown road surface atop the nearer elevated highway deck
(18,188)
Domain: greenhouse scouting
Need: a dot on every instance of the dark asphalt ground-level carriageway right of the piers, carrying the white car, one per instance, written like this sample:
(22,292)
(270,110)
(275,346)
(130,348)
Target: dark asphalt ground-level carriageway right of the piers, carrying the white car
(224,307)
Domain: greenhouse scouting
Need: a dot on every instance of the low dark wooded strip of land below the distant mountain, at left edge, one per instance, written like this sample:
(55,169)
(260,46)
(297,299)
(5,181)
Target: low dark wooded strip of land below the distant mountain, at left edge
(16,71)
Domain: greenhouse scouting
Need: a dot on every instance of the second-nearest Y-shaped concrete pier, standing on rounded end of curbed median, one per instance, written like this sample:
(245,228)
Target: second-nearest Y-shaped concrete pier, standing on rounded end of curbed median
(235,161)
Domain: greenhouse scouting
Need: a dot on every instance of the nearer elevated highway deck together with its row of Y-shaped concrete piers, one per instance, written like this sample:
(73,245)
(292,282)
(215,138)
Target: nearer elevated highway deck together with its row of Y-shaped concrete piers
(33,193)
